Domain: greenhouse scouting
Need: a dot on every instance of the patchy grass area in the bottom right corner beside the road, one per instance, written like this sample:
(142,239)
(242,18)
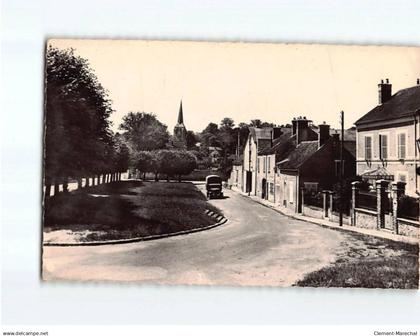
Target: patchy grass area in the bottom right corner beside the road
(370,263)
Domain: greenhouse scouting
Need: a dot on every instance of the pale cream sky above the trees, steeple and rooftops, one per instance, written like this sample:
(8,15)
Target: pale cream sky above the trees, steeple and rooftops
(244,81)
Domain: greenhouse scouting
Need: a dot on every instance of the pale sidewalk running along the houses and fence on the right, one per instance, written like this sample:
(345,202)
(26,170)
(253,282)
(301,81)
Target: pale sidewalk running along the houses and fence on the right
(331,225)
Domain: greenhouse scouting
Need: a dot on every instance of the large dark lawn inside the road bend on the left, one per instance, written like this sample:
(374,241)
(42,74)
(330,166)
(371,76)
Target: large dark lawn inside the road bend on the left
(127,209)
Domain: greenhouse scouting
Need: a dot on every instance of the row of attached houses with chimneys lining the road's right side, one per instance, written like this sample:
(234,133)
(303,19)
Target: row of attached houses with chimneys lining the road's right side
(277,163)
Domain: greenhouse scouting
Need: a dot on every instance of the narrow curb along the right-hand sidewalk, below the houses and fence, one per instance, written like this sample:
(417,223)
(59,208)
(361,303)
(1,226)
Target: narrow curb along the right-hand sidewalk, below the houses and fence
(402,239)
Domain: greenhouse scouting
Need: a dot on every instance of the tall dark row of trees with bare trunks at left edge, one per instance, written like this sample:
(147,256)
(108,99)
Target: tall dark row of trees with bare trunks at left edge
(78,140)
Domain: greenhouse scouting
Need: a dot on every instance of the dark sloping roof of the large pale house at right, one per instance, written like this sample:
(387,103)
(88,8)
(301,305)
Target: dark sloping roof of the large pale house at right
(404,103)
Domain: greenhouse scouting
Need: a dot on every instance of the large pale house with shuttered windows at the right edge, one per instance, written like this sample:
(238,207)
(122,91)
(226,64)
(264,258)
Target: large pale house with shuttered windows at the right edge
(388,138)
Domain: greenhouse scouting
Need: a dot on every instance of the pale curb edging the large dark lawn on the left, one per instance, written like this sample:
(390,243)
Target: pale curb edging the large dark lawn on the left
(220,220)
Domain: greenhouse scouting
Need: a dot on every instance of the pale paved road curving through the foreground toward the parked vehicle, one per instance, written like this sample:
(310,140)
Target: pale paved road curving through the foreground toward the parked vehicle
(257,246)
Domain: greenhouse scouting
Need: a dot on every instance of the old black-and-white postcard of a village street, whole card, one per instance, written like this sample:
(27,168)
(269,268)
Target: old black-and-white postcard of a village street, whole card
(252,164)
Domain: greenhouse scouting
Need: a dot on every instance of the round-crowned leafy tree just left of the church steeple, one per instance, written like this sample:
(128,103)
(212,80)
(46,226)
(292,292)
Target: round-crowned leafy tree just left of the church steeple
(144,131)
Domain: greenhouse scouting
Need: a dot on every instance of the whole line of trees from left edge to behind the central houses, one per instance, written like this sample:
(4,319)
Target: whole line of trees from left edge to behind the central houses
(79,142)
